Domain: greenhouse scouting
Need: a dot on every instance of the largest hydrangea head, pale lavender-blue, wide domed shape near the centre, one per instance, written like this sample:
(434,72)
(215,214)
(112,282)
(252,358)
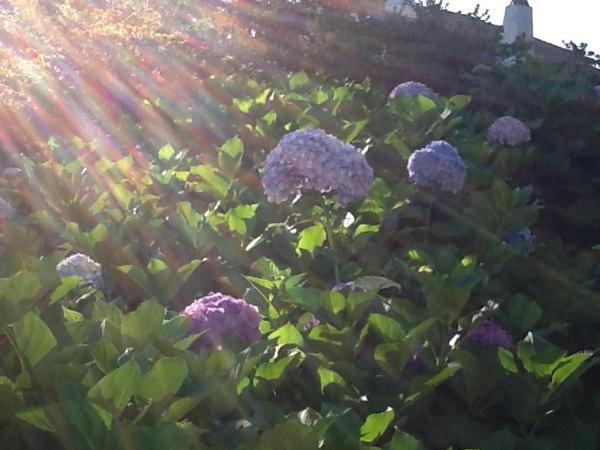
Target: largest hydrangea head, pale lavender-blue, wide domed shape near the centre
(314,160)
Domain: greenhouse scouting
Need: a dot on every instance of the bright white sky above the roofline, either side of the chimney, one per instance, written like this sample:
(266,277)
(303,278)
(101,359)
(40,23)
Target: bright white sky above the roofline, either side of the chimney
(553,20)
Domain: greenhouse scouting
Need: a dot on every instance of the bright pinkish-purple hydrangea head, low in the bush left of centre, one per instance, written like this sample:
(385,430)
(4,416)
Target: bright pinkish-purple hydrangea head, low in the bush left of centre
(220,317)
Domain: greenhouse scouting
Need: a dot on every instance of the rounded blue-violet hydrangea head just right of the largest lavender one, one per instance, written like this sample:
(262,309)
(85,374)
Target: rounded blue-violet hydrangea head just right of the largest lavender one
(437,166)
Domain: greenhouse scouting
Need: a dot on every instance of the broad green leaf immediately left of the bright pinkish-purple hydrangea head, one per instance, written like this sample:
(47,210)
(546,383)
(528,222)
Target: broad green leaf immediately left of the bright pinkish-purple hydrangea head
(142,325)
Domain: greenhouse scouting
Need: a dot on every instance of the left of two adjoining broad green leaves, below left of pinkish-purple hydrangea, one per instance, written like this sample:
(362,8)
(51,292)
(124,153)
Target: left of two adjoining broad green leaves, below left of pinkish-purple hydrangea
(117,387)
